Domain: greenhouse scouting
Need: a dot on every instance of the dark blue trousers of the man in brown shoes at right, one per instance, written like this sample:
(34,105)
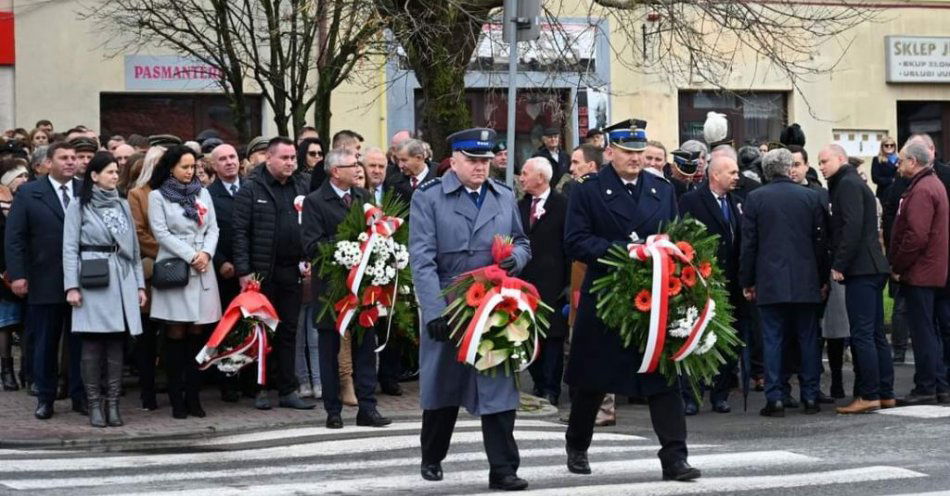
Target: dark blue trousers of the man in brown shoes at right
(864,299)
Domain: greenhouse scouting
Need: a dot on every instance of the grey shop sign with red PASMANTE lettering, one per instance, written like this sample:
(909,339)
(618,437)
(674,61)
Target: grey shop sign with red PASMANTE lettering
(169,73)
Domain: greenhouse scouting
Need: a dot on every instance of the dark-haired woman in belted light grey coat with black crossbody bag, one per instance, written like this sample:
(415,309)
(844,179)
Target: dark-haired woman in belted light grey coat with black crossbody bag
(99,238)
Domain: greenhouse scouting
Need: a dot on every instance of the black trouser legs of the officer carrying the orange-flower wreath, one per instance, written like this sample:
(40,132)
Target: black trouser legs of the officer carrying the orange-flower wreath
(666,414)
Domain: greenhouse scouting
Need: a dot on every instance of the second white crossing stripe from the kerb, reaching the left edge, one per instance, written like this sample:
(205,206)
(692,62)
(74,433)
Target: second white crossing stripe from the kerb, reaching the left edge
(343,447)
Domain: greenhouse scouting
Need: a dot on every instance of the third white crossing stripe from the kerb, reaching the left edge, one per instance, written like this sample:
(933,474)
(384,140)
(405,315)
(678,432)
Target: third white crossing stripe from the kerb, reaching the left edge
(411,463)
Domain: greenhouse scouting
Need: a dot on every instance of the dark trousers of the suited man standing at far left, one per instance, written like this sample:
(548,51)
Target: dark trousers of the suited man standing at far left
(48,323)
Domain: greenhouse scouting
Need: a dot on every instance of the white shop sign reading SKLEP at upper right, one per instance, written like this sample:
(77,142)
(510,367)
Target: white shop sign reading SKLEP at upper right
(918,59)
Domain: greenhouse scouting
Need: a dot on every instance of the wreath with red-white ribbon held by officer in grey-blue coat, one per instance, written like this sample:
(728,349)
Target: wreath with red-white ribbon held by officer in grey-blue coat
(497,321)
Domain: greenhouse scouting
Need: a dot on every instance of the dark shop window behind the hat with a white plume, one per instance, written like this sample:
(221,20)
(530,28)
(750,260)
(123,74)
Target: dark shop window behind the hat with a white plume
(754,117)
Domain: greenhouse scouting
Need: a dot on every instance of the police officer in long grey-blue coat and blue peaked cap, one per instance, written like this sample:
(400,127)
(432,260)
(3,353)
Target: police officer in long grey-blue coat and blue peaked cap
(454,220)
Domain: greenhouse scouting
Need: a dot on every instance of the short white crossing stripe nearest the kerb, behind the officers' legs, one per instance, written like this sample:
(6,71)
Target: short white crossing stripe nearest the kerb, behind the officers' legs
(323,431)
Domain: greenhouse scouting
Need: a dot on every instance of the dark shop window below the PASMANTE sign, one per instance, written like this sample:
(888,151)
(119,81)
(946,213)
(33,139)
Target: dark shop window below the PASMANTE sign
(184,115)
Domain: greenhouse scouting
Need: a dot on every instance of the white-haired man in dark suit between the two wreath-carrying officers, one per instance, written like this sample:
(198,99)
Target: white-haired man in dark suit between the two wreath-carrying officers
(543,211)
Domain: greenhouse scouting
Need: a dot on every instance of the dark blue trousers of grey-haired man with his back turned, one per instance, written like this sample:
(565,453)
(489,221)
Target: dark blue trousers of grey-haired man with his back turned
(783,320)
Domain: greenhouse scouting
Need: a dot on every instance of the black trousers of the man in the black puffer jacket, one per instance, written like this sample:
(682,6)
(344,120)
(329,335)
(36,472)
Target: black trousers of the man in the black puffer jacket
(283,291)
